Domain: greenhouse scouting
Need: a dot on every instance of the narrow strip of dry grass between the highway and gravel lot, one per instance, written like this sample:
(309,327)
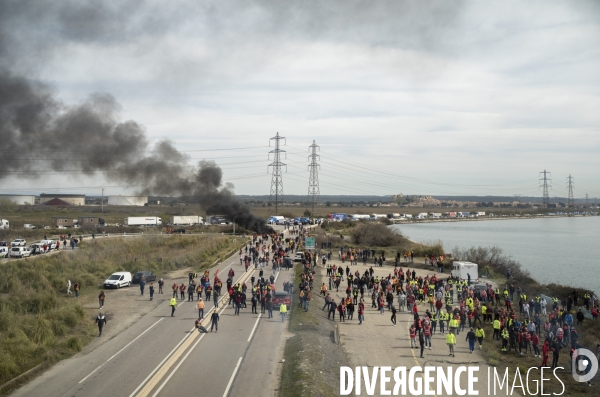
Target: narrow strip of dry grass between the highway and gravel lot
(312,359)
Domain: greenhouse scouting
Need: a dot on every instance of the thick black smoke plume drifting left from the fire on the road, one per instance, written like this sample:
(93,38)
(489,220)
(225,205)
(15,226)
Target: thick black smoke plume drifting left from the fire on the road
(44,134)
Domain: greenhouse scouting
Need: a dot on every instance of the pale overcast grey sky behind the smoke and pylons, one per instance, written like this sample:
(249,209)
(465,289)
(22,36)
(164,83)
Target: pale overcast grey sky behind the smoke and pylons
(444,97)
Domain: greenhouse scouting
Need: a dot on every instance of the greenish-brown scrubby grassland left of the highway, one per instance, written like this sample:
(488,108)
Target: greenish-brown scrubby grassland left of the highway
(40,325)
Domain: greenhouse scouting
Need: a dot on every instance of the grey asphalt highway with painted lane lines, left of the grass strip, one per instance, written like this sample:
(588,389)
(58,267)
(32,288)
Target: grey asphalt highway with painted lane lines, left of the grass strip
(162,355)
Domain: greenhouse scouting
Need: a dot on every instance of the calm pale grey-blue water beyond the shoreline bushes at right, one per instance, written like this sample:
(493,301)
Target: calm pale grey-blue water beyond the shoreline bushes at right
(561,250)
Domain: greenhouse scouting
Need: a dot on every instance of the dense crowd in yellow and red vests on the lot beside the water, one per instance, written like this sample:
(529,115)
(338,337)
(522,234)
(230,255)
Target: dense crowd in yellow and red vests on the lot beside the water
(526,325)
